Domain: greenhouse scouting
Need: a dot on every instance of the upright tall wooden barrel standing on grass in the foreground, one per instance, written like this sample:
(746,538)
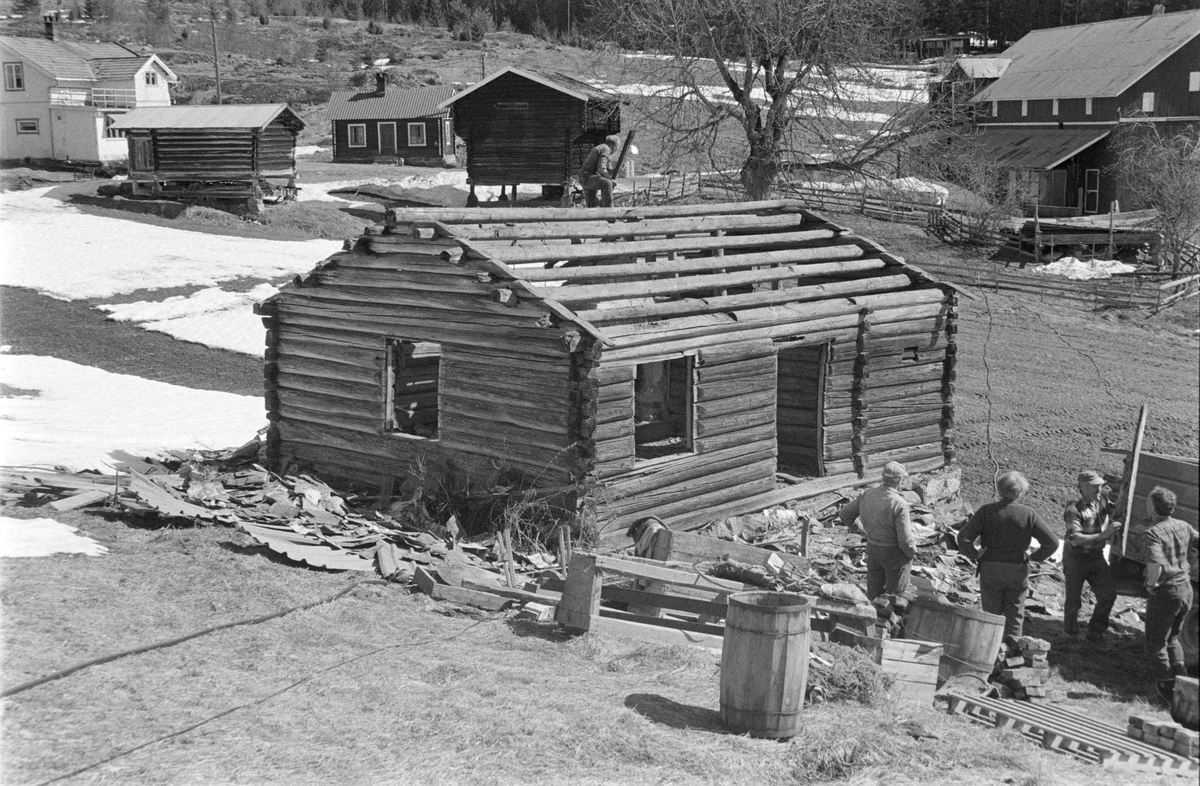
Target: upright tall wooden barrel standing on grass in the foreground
(765,663)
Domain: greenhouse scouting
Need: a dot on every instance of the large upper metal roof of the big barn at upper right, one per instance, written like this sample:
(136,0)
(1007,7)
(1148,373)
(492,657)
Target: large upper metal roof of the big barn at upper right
(1091,61)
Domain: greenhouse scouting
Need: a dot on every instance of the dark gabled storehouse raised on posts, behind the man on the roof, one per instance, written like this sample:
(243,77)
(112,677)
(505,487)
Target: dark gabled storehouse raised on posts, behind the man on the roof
(531,128)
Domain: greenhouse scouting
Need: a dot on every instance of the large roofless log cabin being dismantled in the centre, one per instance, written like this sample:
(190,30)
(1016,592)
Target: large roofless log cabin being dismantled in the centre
(655,361)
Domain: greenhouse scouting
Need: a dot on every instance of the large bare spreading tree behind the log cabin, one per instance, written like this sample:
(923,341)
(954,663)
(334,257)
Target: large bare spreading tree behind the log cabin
(789,74)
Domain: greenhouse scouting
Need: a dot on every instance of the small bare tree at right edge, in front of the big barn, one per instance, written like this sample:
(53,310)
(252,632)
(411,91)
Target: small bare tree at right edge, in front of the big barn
(1160,169)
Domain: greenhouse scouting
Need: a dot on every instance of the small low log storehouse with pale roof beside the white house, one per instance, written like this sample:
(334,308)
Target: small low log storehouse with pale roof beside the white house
(213,153)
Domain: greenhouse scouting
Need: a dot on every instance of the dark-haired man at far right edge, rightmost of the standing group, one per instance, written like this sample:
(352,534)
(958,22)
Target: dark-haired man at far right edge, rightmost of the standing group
(1171,547)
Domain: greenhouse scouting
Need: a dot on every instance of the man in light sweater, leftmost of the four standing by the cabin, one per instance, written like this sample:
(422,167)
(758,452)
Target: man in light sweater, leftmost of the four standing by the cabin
(889,530)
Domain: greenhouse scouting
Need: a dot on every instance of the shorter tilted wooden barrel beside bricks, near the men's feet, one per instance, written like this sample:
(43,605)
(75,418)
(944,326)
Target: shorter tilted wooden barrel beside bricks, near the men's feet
(971,638)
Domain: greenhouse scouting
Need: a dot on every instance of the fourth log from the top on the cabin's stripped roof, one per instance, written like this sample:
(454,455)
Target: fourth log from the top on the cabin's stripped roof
(692,265)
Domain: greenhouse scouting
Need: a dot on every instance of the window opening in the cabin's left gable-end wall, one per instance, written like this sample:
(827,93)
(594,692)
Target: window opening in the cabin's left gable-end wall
(411,394)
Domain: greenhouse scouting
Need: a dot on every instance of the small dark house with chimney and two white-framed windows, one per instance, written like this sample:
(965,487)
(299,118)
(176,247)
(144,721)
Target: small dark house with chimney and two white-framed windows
(387,124)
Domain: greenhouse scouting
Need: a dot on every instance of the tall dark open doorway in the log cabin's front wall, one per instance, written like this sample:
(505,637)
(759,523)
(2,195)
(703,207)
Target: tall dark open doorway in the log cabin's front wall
(800,410)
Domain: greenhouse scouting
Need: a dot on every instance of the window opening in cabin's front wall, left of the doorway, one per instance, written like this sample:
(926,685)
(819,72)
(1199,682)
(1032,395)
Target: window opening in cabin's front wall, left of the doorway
(663,409)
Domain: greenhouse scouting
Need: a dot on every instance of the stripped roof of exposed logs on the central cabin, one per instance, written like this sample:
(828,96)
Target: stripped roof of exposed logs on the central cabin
(629,271)
